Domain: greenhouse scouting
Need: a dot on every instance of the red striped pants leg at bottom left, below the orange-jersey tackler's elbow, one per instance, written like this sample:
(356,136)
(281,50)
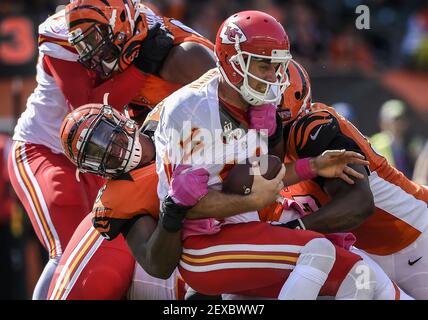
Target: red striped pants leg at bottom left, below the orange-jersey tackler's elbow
(92,268)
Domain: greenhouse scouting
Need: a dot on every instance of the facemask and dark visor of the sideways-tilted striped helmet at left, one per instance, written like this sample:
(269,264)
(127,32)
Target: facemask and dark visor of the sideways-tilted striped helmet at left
(110,146)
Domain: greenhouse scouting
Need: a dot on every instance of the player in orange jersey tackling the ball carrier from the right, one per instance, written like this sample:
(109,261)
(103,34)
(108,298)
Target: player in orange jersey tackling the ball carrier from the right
(387,212)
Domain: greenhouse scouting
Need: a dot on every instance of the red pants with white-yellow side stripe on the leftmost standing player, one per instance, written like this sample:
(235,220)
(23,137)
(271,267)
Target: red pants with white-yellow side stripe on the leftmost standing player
(55,201)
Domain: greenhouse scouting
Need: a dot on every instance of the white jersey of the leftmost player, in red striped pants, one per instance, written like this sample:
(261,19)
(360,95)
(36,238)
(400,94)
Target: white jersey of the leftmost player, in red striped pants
(46,106)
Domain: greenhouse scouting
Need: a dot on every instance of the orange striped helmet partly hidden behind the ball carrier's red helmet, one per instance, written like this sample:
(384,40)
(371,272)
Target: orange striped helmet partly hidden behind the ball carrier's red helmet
(297,97)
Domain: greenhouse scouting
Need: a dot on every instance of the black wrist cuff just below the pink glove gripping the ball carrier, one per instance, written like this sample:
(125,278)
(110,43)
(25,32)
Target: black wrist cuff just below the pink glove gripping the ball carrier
(172,215)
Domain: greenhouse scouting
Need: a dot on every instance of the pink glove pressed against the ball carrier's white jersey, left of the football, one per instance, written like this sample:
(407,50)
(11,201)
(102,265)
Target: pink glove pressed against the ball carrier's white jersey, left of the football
(188,186)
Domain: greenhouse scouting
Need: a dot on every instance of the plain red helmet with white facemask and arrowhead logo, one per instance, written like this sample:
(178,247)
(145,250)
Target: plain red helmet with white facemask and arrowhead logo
(251,35)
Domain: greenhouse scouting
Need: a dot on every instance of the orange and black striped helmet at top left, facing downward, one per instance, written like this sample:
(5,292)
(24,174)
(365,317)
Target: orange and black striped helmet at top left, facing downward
(99,29)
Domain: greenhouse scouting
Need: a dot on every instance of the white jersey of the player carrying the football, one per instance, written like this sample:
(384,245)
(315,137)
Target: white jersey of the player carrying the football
(192,131)
